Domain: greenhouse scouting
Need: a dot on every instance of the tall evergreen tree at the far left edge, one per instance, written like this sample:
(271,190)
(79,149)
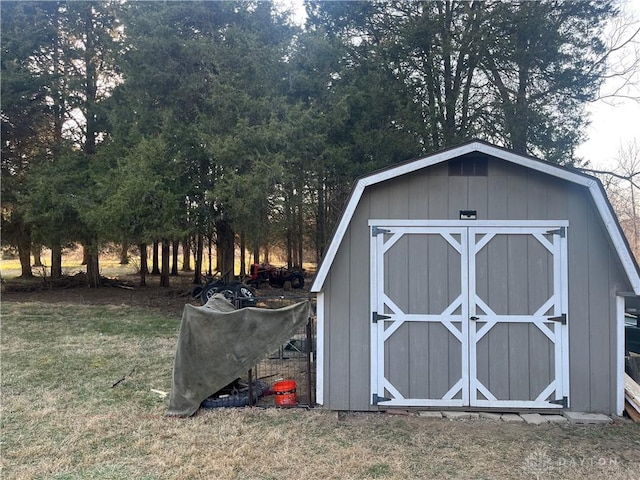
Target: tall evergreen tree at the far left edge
(26,116)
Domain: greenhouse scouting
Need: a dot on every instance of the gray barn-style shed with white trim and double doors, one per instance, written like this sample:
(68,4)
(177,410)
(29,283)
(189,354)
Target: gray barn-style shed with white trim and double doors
(474,278)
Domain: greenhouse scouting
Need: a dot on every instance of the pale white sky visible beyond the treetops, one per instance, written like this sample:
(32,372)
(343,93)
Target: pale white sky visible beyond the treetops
(614,123)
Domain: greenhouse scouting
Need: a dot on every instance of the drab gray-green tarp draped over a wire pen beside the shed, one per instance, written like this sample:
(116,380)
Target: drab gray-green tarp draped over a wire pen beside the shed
(218,344)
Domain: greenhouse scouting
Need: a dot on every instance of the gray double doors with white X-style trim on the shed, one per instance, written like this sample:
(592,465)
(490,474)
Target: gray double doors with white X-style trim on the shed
(469,314)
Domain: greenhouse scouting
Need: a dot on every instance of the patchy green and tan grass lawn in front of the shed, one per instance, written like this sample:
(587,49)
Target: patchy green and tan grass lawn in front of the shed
(62,418)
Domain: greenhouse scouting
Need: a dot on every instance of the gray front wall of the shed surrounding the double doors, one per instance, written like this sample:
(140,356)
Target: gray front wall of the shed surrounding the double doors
(509,192)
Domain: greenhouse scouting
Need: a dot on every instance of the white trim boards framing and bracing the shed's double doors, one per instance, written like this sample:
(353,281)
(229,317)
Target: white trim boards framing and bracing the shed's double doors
(469,301)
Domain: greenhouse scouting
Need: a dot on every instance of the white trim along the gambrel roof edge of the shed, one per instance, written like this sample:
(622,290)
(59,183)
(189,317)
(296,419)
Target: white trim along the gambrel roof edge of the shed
(581,179)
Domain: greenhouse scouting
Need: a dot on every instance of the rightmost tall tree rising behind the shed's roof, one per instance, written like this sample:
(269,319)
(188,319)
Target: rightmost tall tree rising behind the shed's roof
(542,63)
